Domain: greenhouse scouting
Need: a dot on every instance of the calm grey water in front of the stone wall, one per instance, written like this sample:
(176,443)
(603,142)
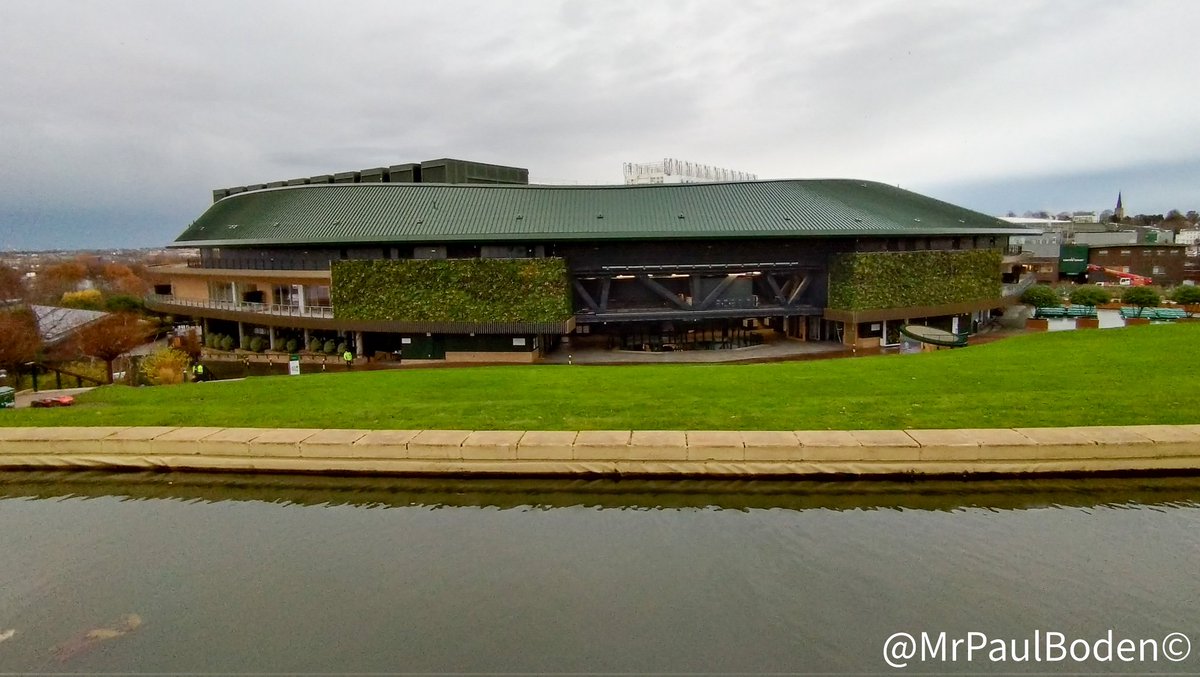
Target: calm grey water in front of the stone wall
(237,574)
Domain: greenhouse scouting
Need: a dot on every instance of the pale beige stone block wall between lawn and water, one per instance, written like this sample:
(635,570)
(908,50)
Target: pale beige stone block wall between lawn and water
(1149,448)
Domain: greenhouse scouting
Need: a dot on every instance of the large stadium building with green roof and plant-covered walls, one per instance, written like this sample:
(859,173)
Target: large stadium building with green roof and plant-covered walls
(481,266)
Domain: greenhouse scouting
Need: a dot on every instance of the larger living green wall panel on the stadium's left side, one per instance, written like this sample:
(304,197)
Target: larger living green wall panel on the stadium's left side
(535,290)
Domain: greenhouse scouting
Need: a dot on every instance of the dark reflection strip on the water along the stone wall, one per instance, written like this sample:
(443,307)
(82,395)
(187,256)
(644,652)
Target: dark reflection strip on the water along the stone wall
(607,493)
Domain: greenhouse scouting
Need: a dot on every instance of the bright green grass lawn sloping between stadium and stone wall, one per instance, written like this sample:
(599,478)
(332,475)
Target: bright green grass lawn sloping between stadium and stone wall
(1138,375)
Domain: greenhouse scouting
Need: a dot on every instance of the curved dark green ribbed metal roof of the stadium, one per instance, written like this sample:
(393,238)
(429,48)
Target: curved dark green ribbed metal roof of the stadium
(440,213)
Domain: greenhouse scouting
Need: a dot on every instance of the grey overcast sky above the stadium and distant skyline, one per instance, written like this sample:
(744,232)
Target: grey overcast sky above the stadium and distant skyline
(118,118)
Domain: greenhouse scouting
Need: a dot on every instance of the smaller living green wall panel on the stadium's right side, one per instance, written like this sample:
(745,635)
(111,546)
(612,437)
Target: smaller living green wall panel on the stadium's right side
(897,280)
